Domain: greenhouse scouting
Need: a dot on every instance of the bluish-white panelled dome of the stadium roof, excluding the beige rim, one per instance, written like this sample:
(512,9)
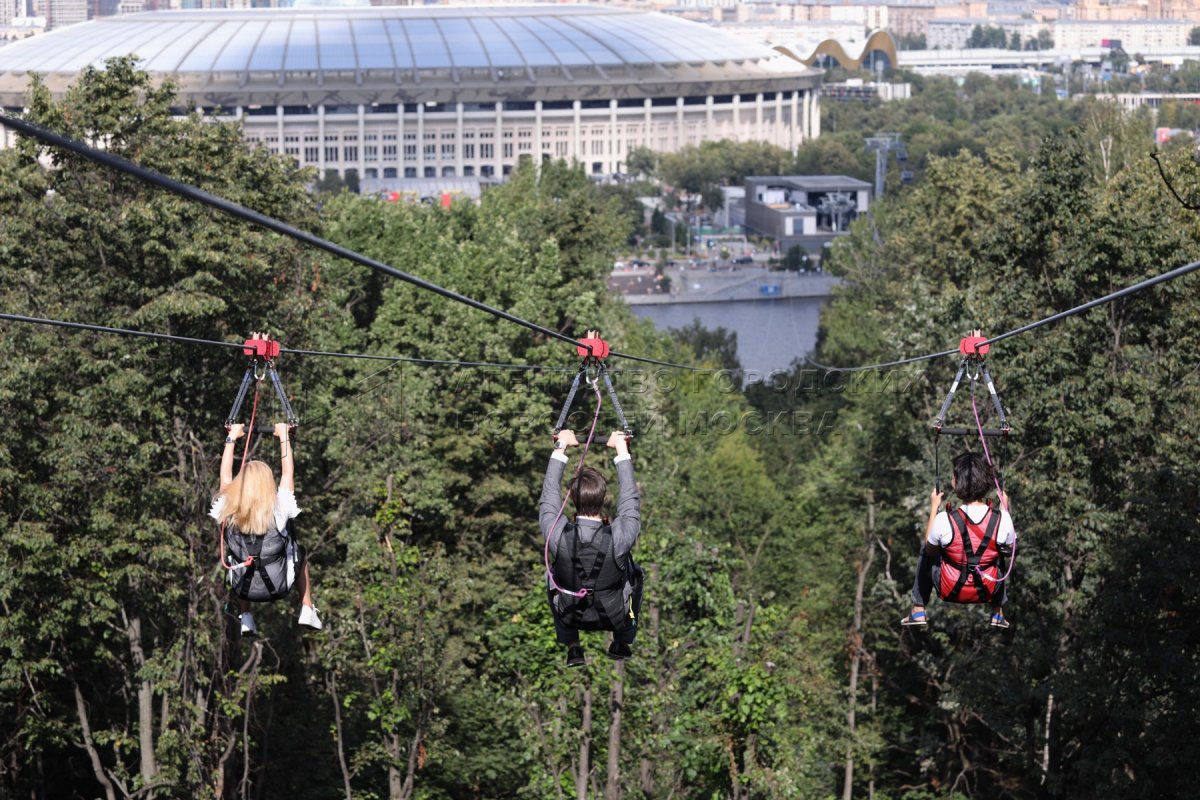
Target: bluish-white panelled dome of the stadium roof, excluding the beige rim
(317,41)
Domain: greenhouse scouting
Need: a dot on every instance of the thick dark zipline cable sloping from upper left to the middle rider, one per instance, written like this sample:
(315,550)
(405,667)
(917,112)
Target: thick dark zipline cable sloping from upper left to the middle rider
(272,224)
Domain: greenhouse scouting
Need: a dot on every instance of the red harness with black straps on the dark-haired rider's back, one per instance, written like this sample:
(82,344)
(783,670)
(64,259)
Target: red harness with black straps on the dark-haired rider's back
(970,562)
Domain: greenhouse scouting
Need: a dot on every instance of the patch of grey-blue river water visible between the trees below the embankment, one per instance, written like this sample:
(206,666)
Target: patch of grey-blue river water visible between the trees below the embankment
(772,334)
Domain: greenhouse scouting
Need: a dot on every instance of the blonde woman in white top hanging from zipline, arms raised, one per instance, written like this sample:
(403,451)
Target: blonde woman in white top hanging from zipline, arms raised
(263,560)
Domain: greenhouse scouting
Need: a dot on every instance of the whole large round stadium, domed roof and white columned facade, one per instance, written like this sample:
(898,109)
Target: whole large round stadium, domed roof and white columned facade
(418,93)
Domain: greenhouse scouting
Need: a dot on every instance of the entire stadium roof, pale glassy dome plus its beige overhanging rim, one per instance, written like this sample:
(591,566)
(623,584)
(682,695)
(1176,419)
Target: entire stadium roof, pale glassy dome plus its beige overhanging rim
(418,55)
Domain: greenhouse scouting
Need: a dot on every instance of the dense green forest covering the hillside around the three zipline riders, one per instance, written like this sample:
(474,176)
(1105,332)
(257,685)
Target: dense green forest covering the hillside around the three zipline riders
(781,524)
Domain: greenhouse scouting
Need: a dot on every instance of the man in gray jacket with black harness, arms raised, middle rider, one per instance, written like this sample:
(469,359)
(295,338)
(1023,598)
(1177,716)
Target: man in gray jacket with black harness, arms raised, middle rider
(596,585)
